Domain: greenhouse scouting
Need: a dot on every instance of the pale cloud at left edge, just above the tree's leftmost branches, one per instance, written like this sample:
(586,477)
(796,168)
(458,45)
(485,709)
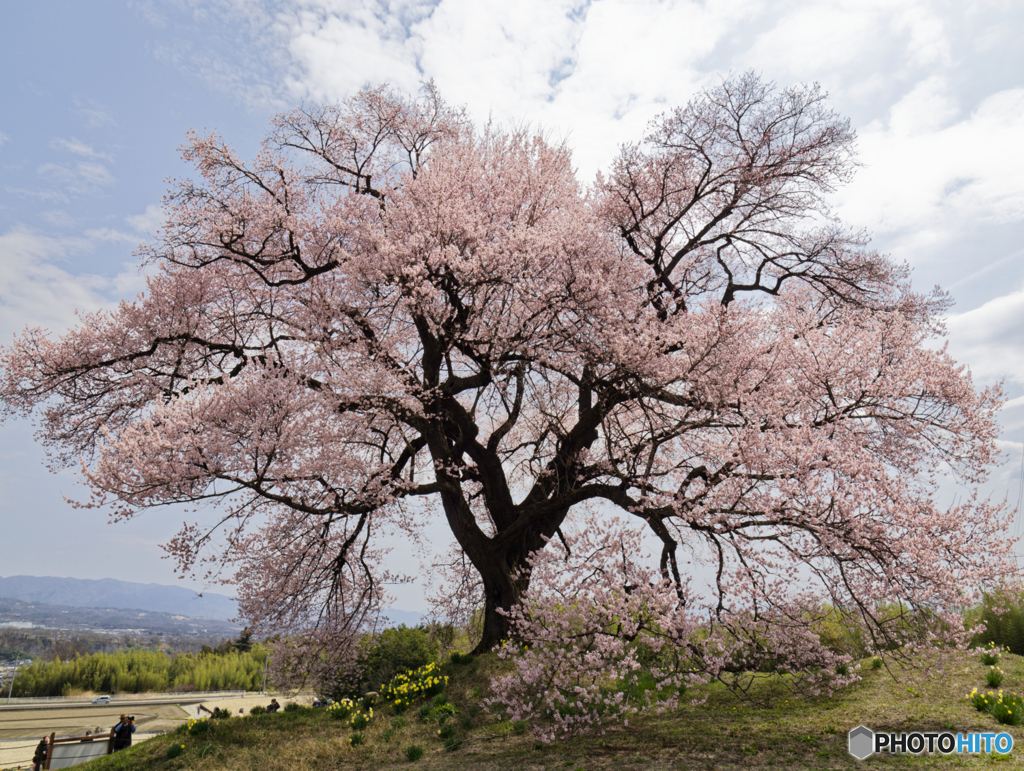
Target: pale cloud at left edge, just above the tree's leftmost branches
(35,292)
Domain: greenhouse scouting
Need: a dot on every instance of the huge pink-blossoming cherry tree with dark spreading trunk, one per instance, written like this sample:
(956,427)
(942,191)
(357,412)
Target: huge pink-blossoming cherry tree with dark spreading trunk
(390,313)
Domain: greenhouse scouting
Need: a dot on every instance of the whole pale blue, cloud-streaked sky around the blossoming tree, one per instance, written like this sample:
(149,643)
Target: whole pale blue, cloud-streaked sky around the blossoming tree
(98,97)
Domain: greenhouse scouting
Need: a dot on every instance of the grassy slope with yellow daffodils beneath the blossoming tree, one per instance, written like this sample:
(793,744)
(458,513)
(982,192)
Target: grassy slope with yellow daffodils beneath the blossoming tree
(722,734)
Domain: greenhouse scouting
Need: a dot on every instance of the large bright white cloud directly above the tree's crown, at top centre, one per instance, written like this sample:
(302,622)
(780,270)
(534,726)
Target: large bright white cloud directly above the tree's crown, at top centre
(598,70)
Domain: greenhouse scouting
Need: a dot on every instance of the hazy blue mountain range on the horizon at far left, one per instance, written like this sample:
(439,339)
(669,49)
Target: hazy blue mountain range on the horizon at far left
(111,593)
